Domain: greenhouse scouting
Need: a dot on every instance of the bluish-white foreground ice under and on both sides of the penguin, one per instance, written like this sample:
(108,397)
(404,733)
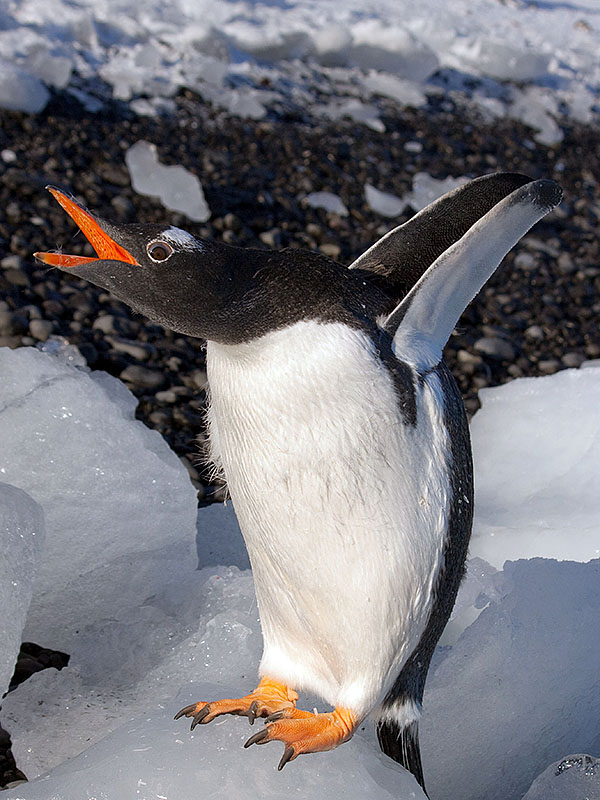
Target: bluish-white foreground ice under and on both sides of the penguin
(514,686)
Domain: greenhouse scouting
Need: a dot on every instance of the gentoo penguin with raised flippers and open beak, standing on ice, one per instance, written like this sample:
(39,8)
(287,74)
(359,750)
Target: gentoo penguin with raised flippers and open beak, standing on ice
(342,437)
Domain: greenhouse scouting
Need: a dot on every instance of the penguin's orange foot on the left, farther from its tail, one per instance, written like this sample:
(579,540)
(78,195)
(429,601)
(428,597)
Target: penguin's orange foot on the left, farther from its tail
(267,699)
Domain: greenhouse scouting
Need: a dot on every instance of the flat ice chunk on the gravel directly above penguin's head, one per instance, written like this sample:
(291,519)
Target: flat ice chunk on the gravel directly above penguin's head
(176,187)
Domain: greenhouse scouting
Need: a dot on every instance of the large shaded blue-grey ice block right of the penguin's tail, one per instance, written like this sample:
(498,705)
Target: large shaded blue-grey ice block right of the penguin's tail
(519,688)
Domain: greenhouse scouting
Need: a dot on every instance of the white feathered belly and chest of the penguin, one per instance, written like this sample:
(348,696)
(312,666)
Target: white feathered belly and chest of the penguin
(343,504)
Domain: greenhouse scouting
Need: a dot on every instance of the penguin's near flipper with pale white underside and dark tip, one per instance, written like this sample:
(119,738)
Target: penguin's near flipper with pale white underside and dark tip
(422,323)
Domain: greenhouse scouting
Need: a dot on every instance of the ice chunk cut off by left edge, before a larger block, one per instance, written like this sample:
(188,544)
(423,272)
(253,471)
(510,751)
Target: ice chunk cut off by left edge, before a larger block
(21,536)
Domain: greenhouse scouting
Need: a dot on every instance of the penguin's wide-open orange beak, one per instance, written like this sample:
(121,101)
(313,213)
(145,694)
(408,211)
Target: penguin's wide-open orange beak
(105,247)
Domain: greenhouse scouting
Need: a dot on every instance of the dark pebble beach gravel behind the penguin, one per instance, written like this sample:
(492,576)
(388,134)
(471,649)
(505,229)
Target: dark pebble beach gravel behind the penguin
(537,315)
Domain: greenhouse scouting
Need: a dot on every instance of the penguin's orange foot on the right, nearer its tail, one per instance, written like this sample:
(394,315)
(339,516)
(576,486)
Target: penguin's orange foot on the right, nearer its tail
(303,732)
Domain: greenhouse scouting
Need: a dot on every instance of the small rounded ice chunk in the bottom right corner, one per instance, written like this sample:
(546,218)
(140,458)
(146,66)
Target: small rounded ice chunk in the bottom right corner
(575,777)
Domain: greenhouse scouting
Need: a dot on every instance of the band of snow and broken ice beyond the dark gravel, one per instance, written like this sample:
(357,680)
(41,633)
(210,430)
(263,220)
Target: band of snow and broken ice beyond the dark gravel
(533,61)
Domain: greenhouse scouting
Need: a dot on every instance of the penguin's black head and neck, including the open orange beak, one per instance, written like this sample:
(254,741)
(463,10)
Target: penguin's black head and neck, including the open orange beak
(209,289)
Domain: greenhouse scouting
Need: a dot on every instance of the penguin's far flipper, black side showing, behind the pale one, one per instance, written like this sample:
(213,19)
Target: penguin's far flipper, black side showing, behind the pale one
(402,255)
